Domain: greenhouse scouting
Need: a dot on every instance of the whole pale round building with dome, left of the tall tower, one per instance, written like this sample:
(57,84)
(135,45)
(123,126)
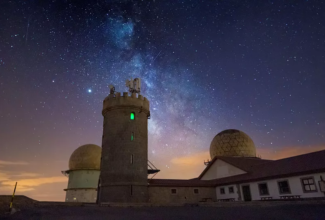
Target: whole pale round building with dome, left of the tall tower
(84,169)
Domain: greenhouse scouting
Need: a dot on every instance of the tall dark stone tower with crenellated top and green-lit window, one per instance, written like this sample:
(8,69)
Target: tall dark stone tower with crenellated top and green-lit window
(124,161)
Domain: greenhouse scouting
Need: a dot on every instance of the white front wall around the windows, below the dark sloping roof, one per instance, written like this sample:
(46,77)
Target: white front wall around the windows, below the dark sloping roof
(295,185)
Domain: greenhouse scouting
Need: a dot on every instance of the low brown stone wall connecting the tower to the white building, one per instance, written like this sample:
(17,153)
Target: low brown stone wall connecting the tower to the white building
(163,195)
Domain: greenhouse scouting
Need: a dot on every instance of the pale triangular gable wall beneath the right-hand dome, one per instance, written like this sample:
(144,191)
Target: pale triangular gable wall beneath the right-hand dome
(221,169)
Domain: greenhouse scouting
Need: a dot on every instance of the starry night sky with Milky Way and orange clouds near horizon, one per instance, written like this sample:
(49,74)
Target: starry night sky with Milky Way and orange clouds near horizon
(206,66)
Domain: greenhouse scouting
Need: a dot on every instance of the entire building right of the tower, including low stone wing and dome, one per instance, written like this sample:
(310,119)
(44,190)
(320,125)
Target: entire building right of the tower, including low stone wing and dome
(236,174)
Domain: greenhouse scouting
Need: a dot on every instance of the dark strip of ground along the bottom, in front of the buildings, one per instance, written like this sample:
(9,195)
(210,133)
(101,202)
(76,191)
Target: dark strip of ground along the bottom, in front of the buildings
(309,210)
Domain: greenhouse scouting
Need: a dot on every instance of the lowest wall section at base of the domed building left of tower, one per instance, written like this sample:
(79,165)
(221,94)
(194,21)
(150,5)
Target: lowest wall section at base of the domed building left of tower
(81,195)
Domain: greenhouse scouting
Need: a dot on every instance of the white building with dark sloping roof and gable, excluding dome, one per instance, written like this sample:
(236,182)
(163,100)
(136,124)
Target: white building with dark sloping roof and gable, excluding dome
(246,179)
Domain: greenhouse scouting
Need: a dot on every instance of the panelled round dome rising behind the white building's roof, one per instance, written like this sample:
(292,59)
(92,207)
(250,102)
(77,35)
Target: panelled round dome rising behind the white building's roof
(233,143)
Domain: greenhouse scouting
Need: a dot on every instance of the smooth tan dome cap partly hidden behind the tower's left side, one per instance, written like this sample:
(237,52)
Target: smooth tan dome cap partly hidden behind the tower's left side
(86,157)
